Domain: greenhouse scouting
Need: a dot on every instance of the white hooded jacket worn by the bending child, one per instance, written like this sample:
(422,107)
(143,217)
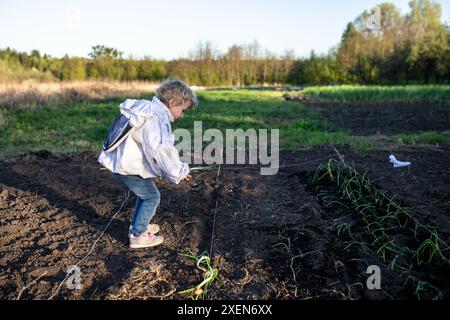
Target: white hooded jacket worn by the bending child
(149,150)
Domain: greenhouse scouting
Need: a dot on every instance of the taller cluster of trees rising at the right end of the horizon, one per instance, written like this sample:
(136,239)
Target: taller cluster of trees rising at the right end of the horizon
(409,49)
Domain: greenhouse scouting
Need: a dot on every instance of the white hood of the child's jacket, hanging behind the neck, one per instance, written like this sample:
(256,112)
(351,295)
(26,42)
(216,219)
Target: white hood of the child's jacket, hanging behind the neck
(137,111)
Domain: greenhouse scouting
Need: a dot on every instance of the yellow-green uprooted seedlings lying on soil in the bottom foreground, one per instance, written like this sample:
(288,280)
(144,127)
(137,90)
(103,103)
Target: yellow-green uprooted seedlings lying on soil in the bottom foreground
(209,275)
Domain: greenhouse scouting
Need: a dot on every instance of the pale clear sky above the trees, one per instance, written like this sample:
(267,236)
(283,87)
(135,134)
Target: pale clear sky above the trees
(170,29)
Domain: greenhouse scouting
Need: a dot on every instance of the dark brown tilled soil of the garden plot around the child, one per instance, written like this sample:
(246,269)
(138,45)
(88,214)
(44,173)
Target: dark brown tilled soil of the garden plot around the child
(53,207)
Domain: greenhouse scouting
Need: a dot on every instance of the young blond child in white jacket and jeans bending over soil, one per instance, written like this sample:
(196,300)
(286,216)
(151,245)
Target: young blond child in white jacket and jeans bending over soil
(149,152)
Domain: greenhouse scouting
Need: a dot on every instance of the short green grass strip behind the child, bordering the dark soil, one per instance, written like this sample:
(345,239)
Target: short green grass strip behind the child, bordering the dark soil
(82,126)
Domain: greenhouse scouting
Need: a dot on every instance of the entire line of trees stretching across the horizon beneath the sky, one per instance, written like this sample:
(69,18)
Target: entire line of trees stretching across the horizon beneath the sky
(380,46)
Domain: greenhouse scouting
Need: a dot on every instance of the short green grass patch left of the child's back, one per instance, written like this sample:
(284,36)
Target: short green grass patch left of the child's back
(73,127)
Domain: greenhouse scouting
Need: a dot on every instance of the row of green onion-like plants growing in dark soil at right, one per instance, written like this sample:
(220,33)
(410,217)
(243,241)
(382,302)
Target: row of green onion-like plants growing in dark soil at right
(385,227)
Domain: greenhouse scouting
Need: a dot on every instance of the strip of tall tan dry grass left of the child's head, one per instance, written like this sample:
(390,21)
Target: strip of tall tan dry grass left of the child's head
(29,94)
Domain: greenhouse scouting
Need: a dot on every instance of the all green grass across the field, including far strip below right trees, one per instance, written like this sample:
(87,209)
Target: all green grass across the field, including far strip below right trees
(74,125)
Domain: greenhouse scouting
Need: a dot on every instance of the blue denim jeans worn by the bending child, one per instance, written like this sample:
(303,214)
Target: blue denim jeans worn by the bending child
(148,198)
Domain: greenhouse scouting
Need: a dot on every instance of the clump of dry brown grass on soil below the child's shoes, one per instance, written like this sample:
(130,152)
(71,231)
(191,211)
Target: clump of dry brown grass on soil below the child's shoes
(150,281)
